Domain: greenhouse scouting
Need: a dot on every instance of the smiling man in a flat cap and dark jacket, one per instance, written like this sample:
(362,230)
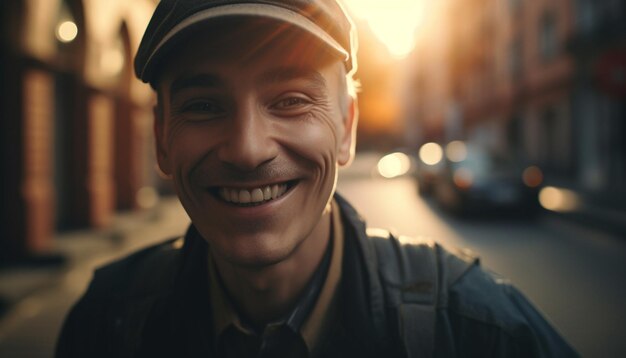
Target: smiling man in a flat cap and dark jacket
(256,110)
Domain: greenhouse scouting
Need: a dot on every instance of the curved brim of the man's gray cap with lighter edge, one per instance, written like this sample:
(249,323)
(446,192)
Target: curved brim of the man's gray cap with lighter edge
(254,10)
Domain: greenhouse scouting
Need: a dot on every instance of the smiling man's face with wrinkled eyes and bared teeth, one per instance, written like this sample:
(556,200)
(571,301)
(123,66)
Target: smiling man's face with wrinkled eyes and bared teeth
(252,131)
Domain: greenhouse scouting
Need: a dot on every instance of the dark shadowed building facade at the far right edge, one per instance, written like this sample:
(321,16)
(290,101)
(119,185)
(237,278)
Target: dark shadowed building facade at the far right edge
(598,48)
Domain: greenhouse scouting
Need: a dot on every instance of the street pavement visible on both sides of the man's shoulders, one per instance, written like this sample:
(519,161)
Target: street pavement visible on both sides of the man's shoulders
(574,274)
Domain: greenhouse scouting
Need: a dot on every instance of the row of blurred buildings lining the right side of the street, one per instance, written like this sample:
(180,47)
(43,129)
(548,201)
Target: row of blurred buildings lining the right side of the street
(542,81)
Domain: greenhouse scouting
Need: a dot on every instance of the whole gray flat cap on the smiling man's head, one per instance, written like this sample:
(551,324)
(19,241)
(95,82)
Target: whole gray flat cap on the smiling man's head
(325,19)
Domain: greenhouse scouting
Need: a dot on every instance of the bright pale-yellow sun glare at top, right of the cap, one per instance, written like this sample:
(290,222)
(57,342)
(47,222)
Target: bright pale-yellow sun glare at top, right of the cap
(394,22)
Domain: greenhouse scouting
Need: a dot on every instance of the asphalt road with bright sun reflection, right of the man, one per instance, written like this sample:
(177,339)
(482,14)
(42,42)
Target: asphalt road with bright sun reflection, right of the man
(575,275)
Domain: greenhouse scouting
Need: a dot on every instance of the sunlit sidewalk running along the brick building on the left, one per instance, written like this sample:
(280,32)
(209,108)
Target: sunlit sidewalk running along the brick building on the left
(88,249)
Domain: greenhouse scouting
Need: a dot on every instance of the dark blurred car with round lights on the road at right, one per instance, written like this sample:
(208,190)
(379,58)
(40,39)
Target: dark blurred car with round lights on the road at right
(482,181)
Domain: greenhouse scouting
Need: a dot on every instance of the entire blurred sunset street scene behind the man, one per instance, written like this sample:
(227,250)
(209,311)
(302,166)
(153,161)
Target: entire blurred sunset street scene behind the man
(496,125)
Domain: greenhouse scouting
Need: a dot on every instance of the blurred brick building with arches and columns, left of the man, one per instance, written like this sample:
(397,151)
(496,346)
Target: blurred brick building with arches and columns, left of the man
(75,123)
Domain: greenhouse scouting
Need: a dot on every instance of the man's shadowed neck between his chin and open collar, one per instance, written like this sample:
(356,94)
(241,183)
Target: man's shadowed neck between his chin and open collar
(269,293)
